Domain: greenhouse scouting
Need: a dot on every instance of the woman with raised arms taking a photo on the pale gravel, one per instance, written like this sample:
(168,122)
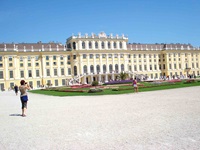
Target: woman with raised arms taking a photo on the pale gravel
(24,96)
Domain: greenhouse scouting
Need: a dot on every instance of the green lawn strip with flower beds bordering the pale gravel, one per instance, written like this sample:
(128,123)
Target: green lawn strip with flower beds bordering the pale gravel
(121,89)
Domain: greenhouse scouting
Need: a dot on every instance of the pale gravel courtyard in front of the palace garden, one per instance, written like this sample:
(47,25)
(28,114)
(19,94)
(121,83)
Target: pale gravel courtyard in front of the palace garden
(158,120)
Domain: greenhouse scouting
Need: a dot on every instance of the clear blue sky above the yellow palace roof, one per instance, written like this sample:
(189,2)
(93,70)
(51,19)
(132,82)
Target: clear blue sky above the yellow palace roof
(144,21)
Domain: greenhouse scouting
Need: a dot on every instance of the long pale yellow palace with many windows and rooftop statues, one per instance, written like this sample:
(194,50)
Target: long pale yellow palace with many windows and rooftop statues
(87,58)
